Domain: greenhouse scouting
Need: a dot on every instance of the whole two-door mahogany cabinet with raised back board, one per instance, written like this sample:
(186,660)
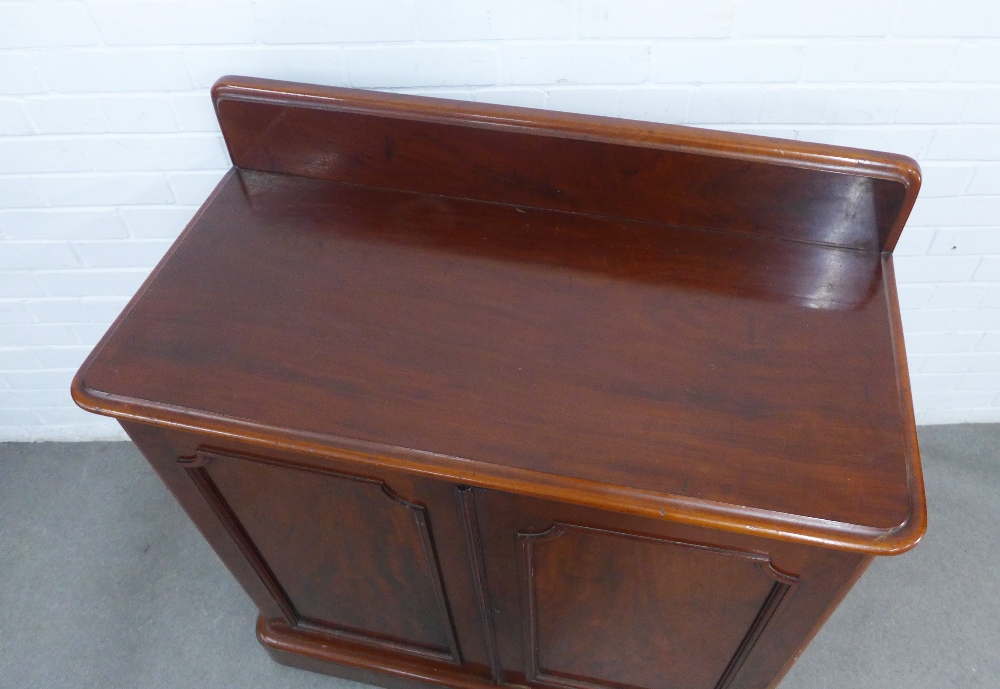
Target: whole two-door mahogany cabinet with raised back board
(468,395)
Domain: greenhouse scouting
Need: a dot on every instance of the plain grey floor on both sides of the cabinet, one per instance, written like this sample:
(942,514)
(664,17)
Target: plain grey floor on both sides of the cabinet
(104,583)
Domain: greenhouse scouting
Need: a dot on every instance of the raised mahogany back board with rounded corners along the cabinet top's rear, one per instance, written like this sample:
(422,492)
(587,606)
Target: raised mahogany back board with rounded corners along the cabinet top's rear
(594,165)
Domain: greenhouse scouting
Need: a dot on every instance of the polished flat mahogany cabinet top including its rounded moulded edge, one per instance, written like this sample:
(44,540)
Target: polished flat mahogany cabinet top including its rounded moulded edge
(722,377)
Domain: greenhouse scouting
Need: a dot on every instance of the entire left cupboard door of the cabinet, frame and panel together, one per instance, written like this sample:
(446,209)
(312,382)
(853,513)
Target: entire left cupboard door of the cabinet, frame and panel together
(369,559)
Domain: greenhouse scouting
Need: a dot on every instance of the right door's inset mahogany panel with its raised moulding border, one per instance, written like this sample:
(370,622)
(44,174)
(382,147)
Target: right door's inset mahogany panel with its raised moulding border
(611,609)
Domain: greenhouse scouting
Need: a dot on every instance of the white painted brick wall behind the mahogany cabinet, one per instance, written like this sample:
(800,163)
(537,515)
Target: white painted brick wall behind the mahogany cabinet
(108,142)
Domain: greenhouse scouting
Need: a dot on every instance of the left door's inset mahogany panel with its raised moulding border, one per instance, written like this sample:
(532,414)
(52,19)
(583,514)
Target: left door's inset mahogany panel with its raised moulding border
(341,554)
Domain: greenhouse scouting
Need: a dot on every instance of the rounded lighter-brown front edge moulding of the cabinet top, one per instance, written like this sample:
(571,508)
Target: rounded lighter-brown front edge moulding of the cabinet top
(616,498)
